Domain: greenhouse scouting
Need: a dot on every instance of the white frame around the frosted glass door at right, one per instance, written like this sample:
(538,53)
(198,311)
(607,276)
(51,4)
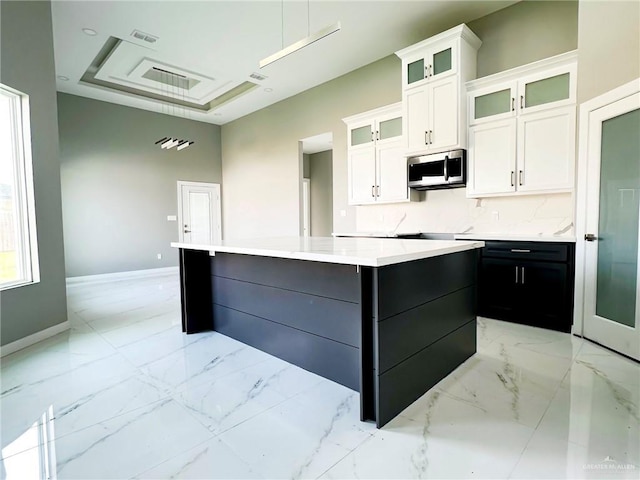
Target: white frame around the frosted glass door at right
(586,109)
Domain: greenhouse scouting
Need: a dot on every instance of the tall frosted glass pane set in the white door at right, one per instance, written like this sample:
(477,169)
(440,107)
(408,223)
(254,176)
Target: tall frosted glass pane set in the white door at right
(617,264)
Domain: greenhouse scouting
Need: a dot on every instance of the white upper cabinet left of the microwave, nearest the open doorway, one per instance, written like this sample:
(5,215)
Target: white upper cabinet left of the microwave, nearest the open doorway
(377,167)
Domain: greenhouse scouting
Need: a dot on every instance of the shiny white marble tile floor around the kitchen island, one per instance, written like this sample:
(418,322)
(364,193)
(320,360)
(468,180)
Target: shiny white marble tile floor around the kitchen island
(125,394)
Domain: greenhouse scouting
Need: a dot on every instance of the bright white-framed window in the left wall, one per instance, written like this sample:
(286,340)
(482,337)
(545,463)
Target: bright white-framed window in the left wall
(18,247)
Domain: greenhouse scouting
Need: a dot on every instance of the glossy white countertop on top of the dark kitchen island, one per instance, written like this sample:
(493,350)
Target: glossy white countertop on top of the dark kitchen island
(370,252)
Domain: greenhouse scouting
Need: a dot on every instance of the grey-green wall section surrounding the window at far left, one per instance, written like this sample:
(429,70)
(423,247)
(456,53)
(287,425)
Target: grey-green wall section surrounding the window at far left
(27,64)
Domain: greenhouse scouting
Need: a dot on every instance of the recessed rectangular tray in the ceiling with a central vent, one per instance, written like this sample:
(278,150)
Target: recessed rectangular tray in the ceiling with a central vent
(130,68)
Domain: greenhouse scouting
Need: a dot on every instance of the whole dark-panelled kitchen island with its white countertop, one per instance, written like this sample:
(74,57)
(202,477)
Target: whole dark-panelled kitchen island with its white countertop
(388,318)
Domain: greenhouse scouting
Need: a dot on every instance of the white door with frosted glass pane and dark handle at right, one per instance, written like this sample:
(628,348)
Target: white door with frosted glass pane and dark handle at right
(611,278)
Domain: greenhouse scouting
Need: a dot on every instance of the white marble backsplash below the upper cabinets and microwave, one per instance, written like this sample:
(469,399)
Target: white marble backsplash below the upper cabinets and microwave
(450,211)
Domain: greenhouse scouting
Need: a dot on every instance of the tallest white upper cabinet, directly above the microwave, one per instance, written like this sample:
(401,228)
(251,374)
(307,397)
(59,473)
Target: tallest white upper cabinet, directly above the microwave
(434,73)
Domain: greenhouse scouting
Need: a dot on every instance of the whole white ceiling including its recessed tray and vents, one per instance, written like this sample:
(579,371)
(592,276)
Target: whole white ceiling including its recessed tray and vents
(200,59)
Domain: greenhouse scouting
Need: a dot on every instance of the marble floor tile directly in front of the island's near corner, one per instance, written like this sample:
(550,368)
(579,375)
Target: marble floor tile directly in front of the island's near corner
(441,437)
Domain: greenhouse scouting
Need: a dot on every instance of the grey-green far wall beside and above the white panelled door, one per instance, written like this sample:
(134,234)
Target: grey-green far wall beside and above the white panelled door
(118,187)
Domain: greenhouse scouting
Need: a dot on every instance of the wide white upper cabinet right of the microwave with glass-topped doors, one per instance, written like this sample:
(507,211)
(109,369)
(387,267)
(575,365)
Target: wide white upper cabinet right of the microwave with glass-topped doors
(522,127)
